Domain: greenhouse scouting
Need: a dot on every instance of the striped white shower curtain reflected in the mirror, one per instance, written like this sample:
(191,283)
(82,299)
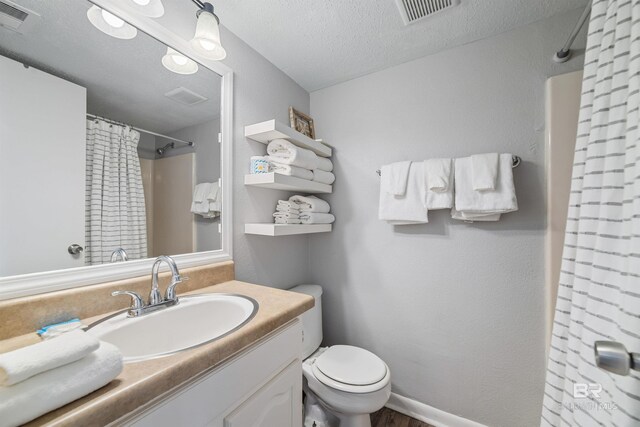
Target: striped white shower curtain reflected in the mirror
(115,205)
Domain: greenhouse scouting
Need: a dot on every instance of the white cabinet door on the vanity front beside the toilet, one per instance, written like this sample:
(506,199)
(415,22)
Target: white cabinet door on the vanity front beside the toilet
(275,404)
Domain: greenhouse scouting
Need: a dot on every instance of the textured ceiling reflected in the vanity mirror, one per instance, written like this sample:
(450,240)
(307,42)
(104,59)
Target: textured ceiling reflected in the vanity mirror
(125,79)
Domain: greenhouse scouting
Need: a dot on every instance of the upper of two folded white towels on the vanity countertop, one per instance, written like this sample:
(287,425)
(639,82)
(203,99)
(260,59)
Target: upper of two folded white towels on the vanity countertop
(18,365)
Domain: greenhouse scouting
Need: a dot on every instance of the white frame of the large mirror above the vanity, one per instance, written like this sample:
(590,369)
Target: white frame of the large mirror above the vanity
(48,281)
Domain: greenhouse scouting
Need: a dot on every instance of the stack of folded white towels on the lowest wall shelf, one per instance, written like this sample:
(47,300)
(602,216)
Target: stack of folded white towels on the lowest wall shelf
(303,210)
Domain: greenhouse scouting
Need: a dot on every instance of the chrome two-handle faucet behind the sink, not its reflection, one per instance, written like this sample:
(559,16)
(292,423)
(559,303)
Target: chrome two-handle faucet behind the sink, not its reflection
(156,302)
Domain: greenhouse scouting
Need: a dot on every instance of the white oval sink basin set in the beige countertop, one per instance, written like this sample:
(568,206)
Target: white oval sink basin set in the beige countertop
(196,320)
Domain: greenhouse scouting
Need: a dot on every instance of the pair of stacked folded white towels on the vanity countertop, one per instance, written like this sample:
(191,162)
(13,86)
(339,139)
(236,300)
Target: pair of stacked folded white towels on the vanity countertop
(39,378)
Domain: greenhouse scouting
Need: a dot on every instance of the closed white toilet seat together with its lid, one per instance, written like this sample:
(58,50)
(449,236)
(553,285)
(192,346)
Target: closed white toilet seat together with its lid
(351,369)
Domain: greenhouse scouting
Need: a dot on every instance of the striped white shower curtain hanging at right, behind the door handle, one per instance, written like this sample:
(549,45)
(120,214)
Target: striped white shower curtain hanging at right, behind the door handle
(599,292)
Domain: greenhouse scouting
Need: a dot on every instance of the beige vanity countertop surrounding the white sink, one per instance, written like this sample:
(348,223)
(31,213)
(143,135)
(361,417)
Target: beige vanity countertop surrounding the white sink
(141,382)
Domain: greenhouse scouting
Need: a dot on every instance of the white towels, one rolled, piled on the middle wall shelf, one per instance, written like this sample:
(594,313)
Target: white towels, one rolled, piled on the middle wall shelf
(288,159)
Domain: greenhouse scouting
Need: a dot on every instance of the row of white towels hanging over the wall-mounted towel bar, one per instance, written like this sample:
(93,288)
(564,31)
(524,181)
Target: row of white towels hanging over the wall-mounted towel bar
(476,188)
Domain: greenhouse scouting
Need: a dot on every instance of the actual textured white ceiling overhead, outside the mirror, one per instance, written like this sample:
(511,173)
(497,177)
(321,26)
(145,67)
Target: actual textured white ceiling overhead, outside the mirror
(321,43)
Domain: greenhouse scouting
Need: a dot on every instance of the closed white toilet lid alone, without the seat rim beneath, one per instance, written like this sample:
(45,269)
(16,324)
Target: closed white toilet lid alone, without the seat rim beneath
(351,365)
